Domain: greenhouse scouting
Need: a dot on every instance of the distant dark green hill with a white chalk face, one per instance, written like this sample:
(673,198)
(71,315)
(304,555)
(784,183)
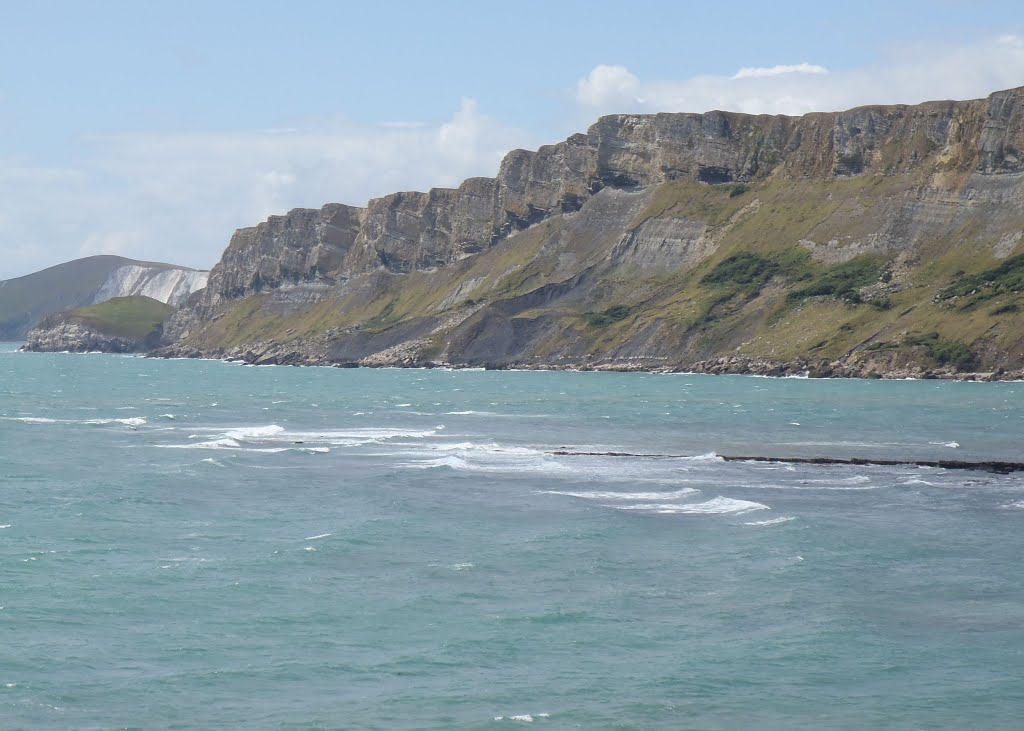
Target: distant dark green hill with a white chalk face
(27,300)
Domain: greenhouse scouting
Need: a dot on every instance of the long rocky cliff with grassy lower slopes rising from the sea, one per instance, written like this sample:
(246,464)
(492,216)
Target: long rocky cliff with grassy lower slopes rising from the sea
(879,240)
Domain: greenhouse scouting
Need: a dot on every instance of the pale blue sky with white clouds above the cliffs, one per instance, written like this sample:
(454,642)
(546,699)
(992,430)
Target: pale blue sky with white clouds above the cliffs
(155,130)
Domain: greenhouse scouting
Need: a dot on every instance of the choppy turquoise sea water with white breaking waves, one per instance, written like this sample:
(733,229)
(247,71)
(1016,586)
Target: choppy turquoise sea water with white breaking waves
(198,545)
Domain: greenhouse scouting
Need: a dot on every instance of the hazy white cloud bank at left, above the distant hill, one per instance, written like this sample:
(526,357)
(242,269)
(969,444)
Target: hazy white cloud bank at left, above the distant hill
(179,197)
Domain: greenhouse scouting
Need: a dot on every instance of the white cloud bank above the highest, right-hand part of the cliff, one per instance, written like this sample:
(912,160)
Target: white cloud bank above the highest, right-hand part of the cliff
(914,74)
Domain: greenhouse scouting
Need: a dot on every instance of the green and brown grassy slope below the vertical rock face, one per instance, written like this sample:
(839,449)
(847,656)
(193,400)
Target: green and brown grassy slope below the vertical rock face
(947,302)
